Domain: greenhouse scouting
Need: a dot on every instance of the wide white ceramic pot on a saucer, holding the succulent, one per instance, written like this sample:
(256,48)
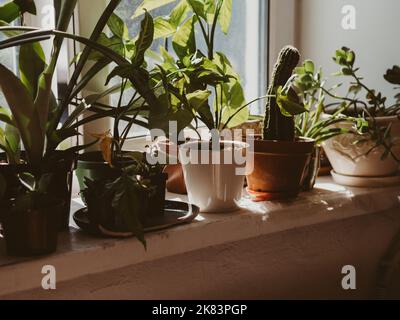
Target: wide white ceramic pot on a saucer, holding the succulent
(350,159)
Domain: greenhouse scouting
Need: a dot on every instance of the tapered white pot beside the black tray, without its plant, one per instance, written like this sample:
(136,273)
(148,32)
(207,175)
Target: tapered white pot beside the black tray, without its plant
(215,188)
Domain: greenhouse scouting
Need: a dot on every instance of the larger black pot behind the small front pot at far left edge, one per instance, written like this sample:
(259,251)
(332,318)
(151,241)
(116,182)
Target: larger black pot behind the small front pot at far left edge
(60,186)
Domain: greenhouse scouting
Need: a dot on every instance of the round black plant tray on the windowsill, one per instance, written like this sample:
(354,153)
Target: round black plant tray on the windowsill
(176,213)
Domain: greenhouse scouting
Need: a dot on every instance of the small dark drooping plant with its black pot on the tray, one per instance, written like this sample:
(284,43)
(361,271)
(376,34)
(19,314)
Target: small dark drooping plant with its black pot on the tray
(121,205)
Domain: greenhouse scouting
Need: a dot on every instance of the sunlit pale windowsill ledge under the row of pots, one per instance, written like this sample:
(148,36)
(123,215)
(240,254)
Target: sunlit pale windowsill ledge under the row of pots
(79,255)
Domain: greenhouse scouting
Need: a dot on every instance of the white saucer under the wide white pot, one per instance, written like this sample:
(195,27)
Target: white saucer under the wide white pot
(366,182)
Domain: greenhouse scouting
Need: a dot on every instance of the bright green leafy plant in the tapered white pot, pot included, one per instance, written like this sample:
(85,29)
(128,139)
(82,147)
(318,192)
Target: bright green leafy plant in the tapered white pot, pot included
(206,91)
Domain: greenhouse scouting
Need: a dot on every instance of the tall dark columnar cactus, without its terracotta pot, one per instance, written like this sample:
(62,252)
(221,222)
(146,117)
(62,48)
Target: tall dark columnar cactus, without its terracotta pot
(279,124)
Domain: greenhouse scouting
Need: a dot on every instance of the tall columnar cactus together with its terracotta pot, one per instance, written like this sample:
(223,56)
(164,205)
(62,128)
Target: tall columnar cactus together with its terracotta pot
(280,158)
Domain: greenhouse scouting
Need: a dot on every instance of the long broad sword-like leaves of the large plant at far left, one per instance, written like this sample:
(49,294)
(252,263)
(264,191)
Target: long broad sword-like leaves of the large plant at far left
(35,113)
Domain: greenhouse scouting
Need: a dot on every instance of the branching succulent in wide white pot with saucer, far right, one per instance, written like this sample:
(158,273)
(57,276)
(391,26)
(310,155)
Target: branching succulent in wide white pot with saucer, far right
(371,158)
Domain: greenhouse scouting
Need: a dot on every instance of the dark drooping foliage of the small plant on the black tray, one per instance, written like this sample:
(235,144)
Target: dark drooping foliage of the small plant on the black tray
(128,195)
